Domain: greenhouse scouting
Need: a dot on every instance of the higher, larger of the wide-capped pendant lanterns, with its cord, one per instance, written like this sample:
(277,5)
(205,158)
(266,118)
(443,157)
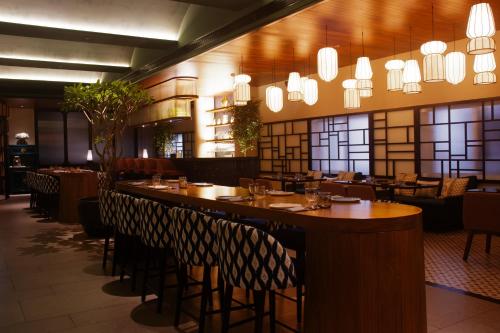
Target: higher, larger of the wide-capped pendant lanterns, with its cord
(434,68)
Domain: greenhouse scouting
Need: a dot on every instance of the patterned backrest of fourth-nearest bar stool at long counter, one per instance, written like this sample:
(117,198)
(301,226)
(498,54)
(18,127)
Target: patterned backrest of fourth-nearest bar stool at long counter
(128,214)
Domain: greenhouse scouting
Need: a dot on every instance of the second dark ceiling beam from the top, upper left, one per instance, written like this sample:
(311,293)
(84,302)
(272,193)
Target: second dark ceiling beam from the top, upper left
(62,65)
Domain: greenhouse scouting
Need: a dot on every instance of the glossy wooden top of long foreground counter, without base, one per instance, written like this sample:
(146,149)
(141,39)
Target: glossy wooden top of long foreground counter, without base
(365,216)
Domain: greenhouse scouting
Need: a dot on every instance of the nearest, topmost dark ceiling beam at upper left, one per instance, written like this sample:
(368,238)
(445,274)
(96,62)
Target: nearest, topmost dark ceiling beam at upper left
(16,29)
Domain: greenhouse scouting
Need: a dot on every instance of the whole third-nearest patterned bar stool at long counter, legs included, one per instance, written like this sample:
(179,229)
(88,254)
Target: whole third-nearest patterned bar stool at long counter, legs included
(157,238)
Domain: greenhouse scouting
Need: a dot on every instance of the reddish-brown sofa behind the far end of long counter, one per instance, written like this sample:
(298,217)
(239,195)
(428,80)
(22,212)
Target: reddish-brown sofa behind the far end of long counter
(137,168)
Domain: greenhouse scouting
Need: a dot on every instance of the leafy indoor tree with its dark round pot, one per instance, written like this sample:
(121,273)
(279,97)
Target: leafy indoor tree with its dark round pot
(107,106)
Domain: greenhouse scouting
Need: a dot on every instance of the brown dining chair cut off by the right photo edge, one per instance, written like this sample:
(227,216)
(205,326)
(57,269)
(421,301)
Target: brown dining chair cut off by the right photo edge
(480,216)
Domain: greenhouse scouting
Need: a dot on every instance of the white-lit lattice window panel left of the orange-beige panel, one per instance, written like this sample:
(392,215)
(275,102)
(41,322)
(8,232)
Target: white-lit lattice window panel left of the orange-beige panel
(341,143)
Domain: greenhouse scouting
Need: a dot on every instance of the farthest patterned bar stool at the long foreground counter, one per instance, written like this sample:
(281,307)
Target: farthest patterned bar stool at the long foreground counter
(107,212)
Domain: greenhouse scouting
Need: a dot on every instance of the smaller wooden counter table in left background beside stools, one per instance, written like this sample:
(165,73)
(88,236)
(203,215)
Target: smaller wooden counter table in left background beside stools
(74,184)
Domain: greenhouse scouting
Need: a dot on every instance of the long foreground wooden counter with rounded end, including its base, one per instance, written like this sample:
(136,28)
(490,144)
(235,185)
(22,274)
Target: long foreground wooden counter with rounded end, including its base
(365,266)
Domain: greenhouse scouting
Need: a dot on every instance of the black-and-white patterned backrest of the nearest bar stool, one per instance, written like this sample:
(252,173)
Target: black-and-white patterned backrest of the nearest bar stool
(249,258)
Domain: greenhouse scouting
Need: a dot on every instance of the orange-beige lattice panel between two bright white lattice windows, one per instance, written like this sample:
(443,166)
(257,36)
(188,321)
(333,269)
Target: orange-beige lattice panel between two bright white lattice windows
(393,142)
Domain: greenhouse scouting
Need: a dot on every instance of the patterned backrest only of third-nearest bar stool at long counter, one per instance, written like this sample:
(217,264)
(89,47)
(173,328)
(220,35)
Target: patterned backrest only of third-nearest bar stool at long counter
(156,226)
